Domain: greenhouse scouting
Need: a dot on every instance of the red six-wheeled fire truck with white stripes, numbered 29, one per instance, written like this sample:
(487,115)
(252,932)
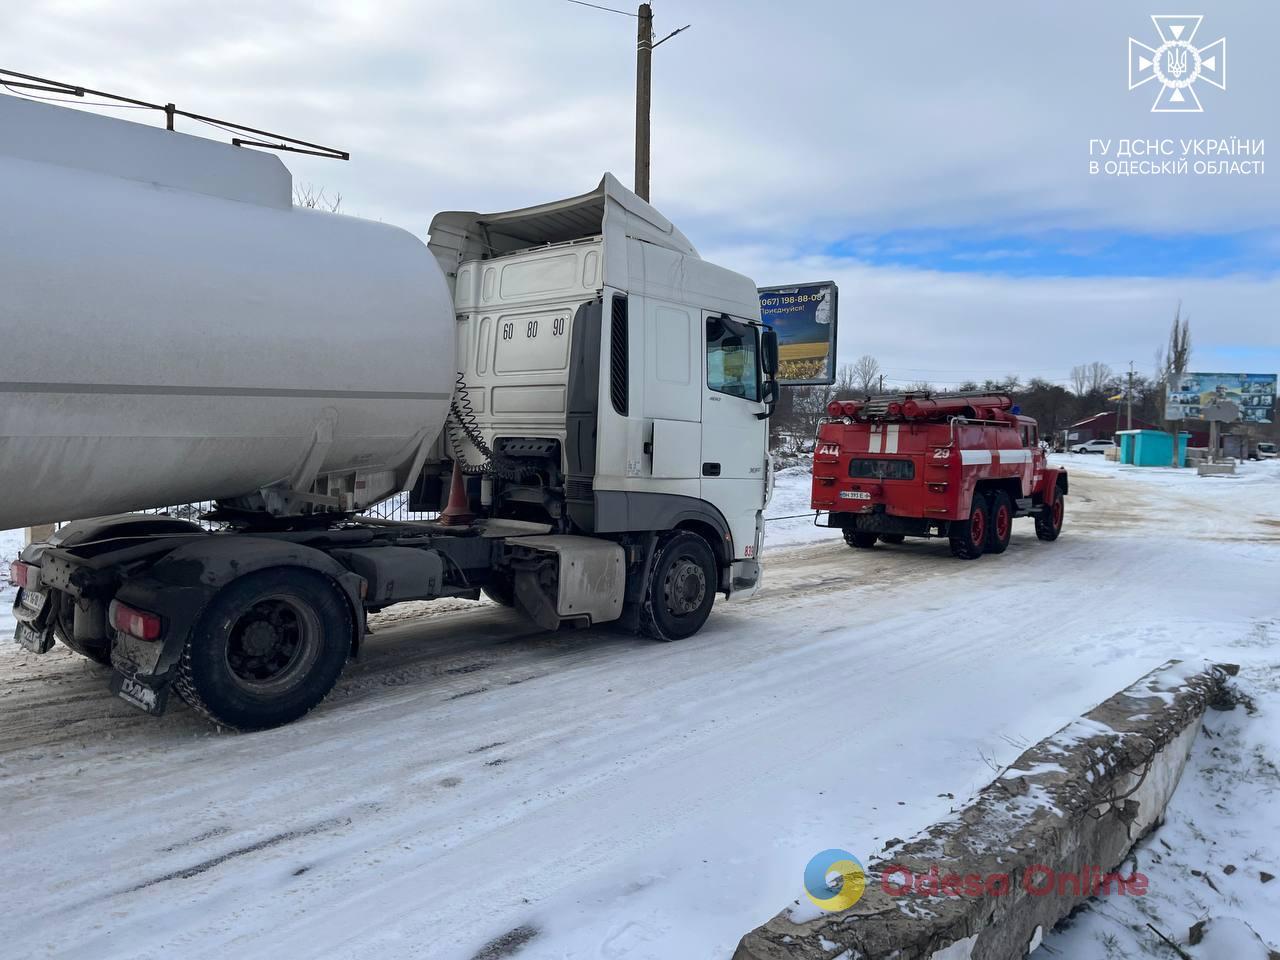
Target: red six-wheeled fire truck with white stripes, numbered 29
(956,465)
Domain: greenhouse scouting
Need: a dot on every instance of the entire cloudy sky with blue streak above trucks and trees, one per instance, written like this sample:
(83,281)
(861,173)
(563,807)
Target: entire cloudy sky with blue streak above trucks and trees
(932,158)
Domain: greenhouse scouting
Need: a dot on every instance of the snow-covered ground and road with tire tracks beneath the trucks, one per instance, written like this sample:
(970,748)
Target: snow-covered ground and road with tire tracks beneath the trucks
(478,789)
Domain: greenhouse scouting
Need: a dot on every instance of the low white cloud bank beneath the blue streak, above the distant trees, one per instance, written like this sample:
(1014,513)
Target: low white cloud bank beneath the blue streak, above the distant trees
(944,327)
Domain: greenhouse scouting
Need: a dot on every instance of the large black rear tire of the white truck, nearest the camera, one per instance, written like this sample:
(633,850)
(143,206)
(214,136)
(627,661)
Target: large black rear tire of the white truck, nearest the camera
(267,650)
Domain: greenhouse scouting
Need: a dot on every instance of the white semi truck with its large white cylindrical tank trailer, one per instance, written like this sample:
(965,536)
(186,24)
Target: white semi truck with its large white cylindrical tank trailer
(173,331)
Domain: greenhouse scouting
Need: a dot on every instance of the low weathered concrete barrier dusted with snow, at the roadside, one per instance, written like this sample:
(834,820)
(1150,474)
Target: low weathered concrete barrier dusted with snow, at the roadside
(1054,828)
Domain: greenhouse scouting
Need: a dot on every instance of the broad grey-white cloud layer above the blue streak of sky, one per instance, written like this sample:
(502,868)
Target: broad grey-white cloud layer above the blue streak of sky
(812,121)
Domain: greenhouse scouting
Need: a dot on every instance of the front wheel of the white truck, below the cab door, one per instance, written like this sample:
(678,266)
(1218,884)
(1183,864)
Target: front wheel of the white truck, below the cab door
(682,588)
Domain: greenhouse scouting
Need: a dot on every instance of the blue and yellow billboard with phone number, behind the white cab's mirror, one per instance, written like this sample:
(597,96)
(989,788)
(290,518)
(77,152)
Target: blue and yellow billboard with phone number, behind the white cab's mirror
(804,318)
